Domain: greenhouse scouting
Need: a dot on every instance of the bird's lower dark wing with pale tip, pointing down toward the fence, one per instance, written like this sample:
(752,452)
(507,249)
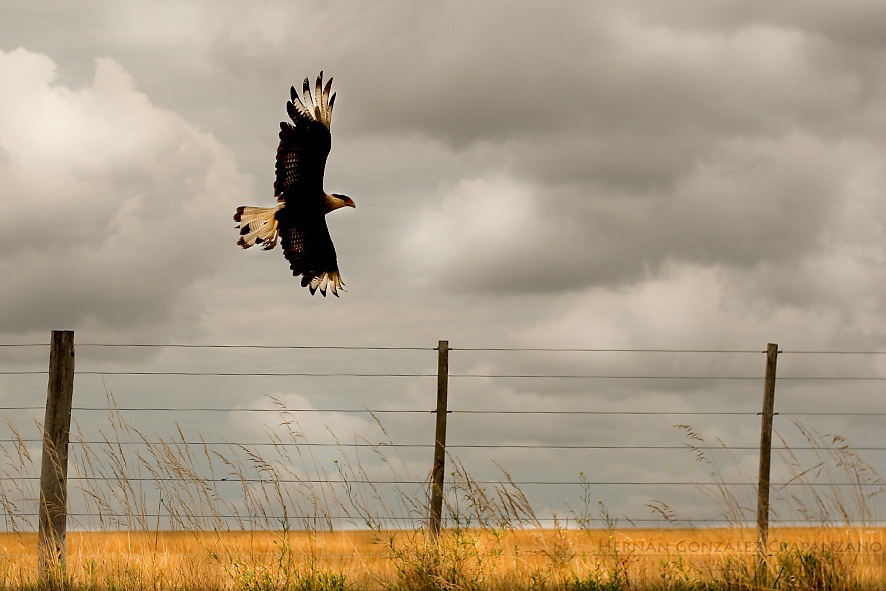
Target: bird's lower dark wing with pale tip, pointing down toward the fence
(308,248)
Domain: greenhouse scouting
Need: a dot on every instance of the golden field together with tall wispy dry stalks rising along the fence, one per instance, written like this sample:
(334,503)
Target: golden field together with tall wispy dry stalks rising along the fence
(500,545)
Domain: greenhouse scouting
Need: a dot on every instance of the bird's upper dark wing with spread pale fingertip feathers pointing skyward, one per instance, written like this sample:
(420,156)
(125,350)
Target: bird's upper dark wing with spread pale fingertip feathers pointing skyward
(304,144)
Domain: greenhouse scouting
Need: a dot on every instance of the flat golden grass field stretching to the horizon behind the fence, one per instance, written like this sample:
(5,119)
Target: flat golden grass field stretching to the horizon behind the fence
(799,558)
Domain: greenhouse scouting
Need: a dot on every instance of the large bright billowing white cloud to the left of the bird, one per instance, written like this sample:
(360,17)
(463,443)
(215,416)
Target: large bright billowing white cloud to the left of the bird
(117,207)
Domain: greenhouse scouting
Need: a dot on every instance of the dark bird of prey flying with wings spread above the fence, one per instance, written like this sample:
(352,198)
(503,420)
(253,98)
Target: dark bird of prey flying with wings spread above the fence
(299,218)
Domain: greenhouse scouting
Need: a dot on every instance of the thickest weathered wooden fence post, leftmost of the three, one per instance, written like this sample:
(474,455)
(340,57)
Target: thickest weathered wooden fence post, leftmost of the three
(54,463)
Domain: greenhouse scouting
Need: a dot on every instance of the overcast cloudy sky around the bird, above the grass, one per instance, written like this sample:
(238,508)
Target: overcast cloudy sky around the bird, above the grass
(582,175)
